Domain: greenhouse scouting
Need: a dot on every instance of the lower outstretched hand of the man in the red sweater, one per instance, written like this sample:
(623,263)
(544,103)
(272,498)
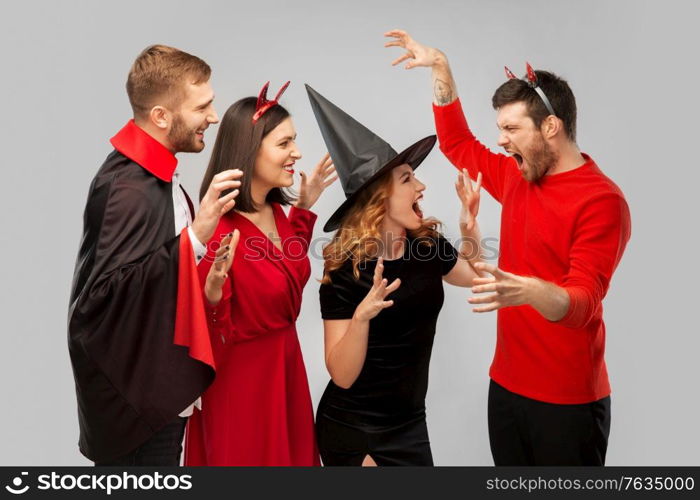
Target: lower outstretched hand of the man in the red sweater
(510,289)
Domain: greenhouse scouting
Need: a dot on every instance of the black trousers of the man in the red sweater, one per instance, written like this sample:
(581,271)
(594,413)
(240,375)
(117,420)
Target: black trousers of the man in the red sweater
(523,431)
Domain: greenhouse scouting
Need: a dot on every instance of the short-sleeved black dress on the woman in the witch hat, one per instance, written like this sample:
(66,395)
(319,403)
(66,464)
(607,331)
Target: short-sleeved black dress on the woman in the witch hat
(383,413)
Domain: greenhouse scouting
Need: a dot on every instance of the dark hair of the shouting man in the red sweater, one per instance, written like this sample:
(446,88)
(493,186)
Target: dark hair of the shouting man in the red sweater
(555,88)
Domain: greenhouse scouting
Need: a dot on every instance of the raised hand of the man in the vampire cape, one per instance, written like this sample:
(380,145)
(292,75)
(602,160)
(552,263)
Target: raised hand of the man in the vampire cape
(213,205)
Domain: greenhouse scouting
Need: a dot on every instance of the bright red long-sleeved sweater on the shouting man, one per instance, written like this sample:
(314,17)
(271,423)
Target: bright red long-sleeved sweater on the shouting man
(569,229)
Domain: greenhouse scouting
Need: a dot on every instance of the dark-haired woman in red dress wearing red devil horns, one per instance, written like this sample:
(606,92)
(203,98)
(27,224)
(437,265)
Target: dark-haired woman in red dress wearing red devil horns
(258,410)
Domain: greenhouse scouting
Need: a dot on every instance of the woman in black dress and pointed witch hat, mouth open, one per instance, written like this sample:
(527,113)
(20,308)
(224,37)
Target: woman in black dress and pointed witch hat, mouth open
(381,294)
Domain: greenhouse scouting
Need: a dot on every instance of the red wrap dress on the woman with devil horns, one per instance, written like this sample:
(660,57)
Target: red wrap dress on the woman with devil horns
(258,410)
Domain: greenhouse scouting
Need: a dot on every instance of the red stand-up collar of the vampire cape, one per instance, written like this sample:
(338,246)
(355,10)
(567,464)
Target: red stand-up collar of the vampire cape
(137,145)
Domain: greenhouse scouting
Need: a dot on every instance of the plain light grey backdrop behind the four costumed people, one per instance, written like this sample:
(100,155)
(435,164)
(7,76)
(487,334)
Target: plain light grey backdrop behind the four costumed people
(633,68)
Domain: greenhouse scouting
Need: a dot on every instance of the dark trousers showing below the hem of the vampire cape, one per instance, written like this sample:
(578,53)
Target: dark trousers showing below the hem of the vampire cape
(162,449)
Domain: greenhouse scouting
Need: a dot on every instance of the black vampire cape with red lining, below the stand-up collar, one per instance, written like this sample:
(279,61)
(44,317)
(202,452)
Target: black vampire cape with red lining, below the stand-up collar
(137,330)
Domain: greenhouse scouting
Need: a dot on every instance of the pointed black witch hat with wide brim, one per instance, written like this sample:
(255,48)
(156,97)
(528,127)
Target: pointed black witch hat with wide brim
(360,156)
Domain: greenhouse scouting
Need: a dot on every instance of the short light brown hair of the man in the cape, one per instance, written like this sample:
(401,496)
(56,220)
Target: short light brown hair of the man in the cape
(158,76)
